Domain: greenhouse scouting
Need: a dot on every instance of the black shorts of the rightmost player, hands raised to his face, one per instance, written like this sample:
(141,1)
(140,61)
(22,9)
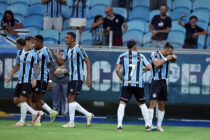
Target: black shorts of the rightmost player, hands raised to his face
(158,90)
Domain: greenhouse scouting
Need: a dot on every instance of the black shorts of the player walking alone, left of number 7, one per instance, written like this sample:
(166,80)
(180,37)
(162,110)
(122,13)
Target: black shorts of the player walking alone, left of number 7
(74,86)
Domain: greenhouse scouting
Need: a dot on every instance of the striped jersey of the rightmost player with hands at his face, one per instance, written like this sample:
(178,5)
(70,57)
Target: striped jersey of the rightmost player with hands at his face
(158,73)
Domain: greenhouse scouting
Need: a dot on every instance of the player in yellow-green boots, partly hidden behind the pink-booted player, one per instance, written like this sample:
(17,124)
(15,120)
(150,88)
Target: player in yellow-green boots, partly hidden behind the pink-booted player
(44,79)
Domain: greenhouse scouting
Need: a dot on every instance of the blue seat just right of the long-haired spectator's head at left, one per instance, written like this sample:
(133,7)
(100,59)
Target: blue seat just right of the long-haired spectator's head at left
(33,21)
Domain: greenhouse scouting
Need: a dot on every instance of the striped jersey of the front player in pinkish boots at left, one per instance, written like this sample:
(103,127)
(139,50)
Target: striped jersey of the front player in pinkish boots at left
(27,60)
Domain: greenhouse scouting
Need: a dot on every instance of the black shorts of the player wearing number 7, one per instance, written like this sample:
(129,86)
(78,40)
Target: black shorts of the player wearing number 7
(127,91)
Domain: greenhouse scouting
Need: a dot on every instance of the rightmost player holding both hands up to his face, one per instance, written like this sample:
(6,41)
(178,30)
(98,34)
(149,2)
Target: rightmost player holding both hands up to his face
(159,73)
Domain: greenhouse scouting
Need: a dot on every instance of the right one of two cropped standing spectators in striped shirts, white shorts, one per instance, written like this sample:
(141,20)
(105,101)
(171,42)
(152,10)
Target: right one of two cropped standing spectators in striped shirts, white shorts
(78,18)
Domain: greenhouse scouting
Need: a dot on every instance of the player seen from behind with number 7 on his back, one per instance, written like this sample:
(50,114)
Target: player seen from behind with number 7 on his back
(132,64)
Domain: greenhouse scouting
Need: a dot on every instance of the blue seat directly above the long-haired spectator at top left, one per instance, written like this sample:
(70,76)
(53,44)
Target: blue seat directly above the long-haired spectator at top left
(19,8)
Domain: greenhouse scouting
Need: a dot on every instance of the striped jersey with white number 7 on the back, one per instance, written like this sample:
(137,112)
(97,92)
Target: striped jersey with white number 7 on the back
(132,64)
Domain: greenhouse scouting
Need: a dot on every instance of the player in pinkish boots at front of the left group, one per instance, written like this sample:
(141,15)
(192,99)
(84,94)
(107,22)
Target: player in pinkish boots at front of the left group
(26,62)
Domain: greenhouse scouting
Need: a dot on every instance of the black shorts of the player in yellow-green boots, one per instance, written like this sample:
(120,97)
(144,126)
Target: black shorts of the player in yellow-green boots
(41,87)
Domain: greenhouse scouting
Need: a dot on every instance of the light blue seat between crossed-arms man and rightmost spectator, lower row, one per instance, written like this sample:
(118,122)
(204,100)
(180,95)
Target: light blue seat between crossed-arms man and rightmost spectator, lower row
(176,38)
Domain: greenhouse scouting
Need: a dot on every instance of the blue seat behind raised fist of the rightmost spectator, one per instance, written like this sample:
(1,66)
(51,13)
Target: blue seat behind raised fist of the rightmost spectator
(176,14)
